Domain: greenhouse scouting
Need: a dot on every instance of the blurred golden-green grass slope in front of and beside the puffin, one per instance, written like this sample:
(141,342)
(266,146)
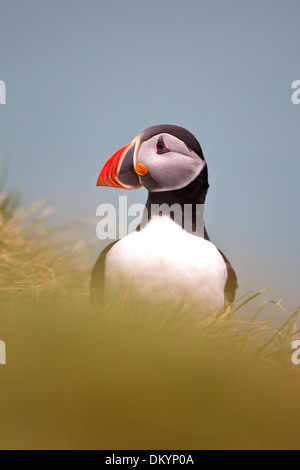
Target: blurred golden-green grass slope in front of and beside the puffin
(126,377)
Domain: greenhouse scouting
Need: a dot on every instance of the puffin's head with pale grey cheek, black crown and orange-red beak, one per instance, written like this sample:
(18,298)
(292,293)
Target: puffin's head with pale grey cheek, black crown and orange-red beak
(161,158)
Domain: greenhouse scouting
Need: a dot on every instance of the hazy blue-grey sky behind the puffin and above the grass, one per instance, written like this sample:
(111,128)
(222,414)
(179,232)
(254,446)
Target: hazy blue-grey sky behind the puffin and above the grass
(84,77)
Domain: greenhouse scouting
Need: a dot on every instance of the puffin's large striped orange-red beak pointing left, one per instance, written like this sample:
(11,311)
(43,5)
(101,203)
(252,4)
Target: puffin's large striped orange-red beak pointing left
(118,171)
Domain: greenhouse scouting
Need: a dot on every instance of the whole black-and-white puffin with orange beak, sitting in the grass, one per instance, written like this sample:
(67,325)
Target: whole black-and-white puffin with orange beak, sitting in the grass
(167,260)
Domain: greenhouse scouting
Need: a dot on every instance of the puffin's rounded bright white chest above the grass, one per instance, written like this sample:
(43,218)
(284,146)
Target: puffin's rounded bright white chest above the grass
(164,264)
